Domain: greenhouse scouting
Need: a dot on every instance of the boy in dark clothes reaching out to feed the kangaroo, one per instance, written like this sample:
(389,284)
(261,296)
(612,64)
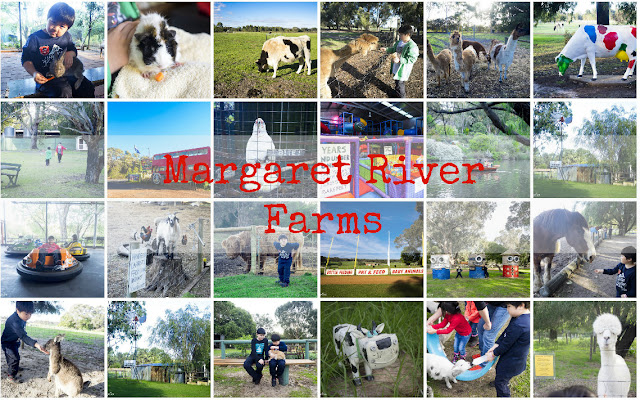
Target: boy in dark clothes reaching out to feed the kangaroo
(12,334)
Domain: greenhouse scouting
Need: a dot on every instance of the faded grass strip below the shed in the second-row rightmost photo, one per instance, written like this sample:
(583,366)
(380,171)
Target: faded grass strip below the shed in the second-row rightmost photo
(554,188)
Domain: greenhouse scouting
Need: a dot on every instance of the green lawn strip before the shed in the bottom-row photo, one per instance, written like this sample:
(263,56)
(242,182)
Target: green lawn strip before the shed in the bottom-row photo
(135,388)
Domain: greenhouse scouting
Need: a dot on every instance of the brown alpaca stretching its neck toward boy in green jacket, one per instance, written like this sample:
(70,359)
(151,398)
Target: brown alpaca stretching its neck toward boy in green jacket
(332,60)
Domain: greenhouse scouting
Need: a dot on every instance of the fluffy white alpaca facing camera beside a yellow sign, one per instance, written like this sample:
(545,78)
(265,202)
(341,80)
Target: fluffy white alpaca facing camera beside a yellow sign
(614,378)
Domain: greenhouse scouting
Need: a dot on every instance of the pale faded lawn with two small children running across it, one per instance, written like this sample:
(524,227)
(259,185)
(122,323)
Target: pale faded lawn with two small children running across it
(55,181)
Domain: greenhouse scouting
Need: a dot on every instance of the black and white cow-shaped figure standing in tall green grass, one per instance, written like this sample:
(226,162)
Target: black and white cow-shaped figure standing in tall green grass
(359,345)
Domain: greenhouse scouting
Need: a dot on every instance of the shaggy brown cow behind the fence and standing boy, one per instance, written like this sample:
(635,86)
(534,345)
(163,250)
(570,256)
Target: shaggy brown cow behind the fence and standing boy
(240,245)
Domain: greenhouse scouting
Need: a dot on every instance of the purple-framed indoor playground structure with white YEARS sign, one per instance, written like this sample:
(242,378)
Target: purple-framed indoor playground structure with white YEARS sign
(360,165)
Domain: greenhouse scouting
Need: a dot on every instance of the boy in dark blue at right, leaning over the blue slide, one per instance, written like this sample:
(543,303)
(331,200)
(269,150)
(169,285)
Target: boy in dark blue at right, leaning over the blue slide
(512,347)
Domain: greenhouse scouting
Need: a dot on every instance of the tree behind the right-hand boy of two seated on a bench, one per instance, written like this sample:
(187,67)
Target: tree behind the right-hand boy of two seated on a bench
(298,319)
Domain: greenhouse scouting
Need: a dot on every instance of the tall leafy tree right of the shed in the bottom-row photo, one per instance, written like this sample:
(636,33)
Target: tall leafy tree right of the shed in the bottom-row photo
(186,335)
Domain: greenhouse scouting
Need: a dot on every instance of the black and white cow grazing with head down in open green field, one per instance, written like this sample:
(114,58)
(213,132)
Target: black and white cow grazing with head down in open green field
(285,49)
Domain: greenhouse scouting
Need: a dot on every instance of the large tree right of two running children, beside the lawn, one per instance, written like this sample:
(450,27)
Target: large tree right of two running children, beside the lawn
(87,119)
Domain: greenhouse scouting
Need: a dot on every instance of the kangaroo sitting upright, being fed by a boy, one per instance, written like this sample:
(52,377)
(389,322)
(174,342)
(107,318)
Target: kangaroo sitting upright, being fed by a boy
(68,378)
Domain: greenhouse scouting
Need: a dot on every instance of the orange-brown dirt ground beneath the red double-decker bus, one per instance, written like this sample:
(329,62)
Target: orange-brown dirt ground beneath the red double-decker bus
(126,190)
